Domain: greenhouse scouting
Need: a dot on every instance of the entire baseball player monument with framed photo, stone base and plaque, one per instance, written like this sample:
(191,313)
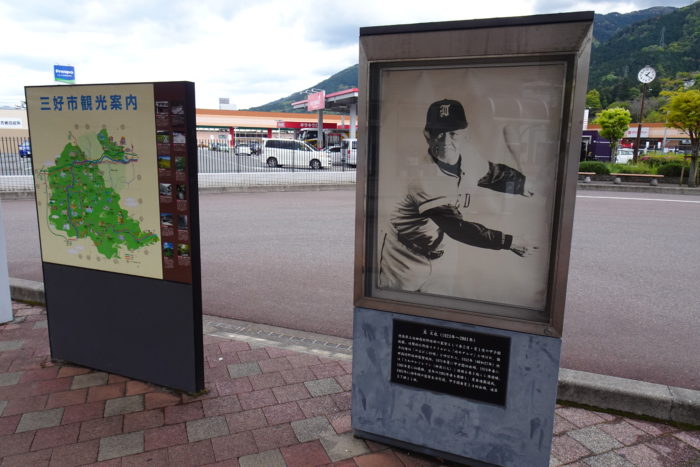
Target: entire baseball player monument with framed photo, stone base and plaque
(466,188)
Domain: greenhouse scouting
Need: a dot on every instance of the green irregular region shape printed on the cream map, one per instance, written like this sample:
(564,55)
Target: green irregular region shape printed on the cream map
(83,206)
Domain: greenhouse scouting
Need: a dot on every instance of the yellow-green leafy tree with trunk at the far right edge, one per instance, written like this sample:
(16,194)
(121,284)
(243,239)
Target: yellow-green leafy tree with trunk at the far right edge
(683,111)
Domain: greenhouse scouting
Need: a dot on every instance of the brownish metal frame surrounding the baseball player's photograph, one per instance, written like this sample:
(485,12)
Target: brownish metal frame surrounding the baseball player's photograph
(538,38)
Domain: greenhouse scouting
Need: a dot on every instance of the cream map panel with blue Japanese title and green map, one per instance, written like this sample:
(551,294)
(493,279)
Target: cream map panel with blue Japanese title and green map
(96,175)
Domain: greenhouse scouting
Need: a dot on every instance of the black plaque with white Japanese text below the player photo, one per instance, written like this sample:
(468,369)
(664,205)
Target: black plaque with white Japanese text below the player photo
(466,364)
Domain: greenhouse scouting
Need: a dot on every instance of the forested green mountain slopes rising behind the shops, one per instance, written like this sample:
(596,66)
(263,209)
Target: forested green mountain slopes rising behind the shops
(667,38)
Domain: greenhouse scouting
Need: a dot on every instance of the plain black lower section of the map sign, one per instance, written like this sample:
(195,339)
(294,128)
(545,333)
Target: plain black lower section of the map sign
(146,329)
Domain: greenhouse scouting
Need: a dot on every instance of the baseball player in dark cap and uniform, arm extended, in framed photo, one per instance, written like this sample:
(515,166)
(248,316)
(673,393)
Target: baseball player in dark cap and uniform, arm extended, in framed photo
(431,207)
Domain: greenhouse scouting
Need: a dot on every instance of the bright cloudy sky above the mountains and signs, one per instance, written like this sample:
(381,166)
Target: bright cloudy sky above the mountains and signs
(251,52)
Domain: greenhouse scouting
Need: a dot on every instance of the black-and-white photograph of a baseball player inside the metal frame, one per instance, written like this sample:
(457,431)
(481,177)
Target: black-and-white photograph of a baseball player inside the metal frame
(466,175)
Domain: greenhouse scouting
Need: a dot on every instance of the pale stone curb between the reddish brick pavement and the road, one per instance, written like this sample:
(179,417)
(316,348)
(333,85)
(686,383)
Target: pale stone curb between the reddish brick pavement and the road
(658,401)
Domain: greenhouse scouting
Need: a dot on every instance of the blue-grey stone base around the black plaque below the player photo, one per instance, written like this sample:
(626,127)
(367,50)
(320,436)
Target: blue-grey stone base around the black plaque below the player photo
(517,433)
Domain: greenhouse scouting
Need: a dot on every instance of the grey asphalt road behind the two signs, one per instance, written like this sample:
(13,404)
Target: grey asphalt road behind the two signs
(286,259)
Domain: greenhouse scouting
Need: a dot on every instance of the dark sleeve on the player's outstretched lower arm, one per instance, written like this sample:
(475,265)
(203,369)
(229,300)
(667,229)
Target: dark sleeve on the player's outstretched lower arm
(450,221)
